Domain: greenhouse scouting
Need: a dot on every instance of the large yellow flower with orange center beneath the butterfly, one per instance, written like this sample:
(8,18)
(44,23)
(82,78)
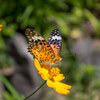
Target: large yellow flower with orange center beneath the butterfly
(52,77)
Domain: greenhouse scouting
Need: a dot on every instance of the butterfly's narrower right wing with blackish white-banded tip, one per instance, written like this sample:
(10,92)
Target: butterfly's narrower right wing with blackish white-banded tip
(55,41)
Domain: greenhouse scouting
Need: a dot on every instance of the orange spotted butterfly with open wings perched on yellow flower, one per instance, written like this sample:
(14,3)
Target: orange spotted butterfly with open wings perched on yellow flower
(44,51)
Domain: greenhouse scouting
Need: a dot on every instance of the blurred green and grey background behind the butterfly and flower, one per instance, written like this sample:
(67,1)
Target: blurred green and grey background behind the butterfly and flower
(79,24)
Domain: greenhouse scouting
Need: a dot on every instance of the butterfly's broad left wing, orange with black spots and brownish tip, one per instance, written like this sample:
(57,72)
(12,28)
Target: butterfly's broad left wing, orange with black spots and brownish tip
(39,47)
